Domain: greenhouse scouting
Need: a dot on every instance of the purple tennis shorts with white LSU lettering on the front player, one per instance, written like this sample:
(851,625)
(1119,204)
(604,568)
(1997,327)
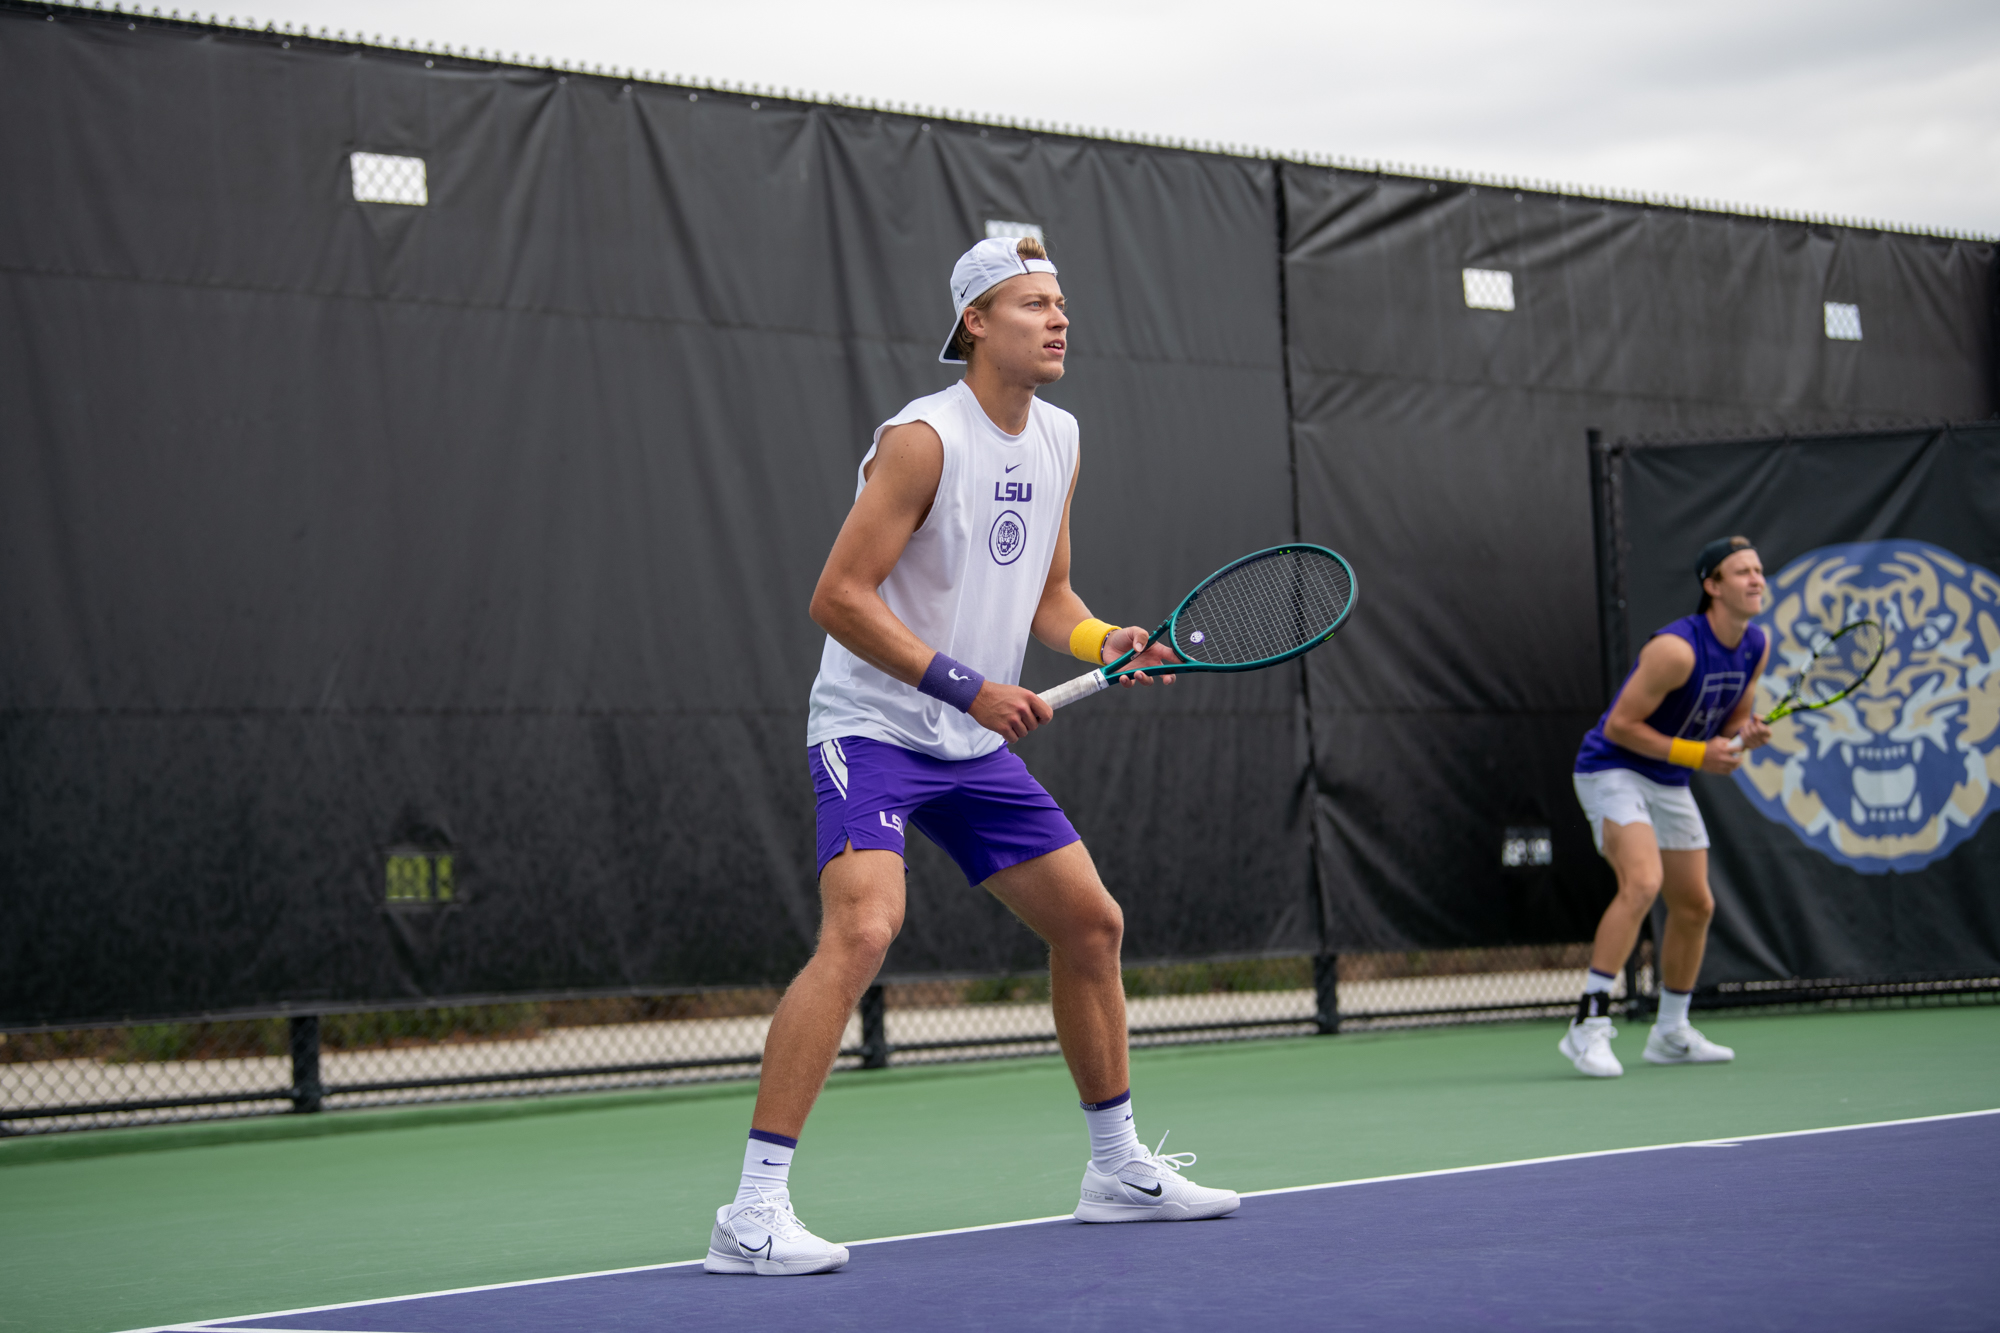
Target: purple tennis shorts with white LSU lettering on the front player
(987,814)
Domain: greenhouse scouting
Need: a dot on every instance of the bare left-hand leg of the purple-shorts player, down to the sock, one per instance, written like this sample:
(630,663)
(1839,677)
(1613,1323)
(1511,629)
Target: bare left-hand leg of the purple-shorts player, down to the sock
(861,914)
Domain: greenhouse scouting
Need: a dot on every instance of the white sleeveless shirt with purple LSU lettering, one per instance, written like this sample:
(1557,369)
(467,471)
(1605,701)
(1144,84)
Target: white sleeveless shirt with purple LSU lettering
(971,579)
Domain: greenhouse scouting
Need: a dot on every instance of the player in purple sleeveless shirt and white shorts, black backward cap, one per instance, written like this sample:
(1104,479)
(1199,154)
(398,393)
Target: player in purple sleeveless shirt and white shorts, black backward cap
(1679,712)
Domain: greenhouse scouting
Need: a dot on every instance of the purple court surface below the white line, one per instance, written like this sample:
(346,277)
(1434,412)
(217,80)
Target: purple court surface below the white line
(1873,1228)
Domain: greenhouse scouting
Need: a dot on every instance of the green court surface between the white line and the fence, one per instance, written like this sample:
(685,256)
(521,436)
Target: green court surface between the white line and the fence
(119,1230)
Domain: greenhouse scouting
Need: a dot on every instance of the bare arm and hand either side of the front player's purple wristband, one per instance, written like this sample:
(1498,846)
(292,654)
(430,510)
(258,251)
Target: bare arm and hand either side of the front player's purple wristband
(903,485)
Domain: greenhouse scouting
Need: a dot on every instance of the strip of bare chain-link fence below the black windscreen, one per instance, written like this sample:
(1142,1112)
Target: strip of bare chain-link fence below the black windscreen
(55,1080)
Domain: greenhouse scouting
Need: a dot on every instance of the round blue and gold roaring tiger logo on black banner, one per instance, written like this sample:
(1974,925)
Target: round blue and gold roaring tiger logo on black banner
(1909,766)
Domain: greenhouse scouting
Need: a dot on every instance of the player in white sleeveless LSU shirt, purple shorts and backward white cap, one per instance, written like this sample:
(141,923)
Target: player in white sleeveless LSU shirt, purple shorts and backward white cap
(955,551)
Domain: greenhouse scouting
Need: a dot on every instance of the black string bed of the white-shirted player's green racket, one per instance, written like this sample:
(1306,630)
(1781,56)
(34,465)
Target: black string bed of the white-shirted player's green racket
(1265,607)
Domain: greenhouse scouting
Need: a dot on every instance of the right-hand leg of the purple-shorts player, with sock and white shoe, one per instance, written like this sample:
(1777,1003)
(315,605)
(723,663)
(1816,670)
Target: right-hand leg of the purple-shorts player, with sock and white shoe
(1061,898)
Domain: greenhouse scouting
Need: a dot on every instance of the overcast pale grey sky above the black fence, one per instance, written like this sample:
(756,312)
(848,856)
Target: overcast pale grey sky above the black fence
(1861,109)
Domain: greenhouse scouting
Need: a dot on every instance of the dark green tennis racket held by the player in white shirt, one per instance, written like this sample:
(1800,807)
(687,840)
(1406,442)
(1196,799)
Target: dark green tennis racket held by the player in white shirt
(1259,611)
